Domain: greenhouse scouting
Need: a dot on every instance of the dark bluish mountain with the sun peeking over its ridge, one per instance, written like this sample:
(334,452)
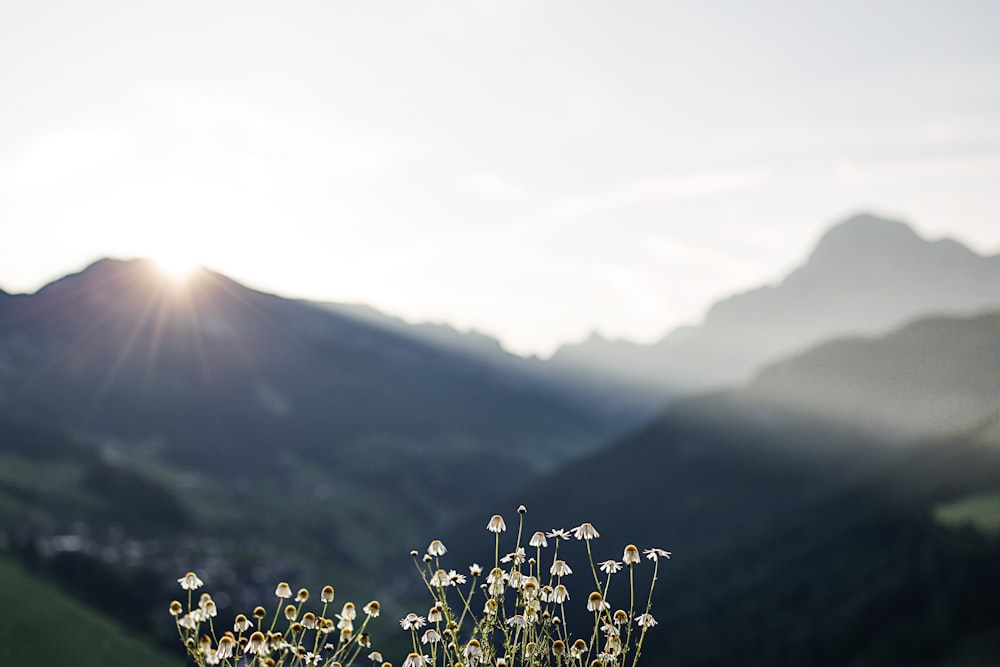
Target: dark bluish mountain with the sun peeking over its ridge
(257,404)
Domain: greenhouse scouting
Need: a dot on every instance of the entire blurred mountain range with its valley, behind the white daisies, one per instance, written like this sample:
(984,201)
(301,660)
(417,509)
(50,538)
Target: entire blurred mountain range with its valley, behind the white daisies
(810,497)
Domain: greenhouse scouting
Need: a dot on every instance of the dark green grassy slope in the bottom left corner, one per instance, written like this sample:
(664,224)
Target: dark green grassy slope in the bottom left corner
(41,626)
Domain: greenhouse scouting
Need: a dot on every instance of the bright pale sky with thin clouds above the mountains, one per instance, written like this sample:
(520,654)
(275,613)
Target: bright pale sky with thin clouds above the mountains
(532,169)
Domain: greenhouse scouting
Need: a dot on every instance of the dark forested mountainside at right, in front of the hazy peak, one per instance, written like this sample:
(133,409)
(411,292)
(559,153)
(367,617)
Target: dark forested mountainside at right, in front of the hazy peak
(805,533)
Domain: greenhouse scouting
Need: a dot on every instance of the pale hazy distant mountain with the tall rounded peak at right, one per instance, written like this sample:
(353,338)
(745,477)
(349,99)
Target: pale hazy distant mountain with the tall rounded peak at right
(866,276)
